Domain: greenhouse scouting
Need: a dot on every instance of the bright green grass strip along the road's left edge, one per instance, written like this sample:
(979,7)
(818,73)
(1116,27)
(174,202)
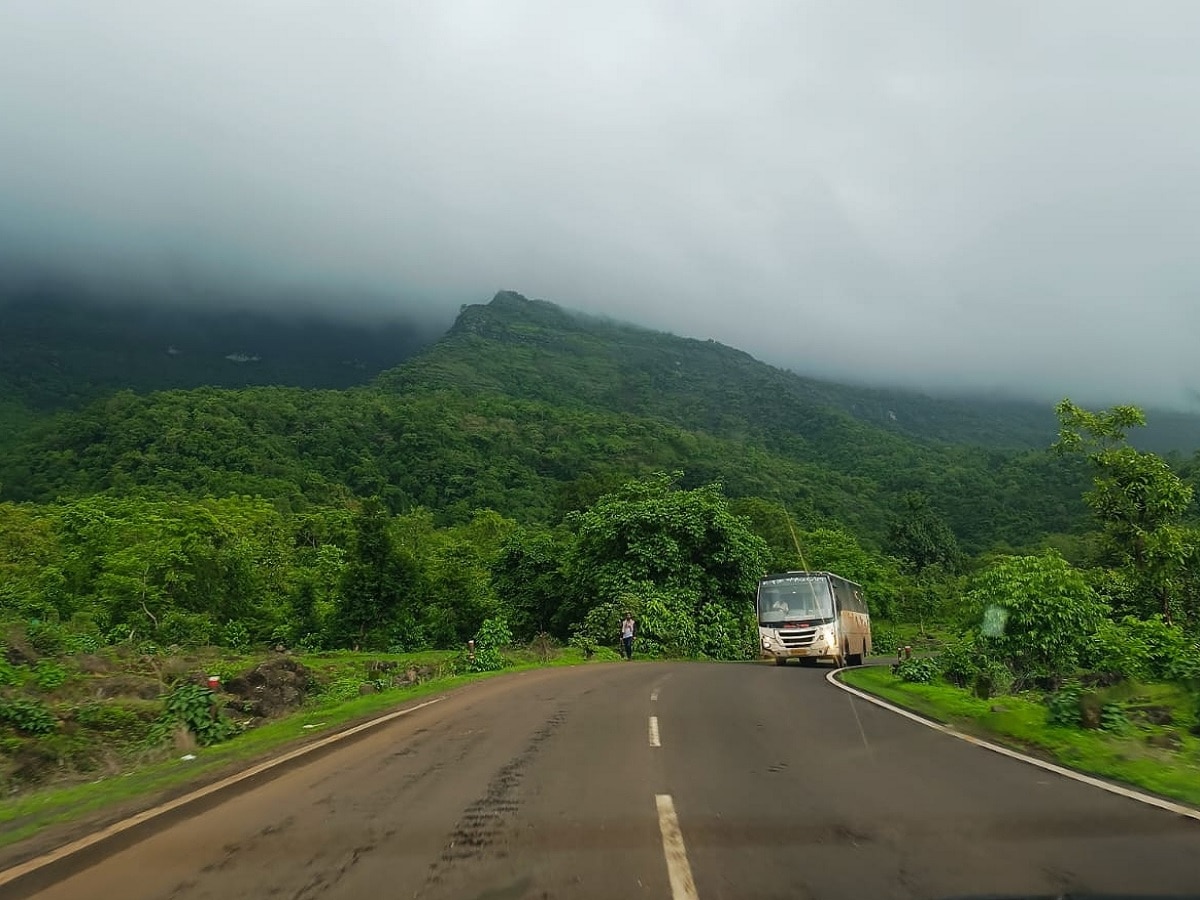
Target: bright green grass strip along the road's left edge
(25,817)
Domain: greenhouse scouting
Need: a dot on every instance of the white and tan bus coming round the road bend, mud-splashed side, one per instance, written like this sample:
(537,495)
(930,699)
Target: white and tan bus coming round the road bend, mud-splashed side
(813,616)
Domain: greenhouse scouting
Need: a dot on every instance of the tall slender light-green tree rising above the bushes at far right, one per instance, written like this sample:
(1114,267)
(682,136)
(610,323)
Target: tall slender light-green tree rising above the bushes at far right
(1137,499)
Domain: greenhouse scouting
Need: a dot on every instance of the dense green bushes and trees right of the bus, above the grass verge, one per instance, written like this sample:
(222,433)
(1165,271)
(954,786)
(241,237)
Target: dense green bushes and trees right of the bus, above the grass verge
(1042,627)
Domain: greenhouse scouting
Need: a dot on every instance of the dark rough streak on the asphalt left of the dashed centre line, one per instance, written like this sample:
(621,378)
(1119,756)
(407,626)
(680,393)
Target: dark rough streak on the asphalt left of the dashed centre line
(484,823)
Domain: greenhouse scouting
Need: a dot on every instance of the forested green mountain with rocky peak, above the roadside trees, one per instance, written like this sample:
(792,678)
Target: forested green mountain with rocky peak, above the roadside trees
(533,412)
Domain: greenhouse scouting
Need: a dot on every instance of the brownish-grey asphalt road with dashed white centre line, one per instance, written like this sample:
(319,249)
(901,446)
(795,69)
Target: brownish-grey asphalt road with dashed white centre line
(547,785)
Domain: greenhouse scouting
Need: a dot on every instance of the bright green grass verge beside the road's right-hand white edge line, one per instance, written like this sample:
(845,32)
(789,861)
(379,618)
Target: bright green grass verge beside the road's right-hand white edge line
(1021,722)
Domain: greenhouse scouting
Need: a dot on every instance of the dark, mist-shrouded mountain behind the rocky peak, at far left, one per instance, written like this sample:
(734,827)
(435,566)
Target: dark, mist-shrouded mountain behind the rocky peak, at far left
(62,352)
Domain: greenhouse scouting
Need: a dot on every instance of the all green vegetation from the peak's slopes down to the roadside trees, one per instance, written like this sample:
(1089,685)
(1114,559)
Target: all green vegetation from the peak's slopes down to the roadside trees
(532,476)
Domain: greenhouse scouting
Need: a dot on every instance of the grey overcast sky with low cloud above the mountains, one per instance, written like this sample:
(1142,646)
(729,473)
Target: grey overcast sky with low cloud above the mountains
(965,194)
